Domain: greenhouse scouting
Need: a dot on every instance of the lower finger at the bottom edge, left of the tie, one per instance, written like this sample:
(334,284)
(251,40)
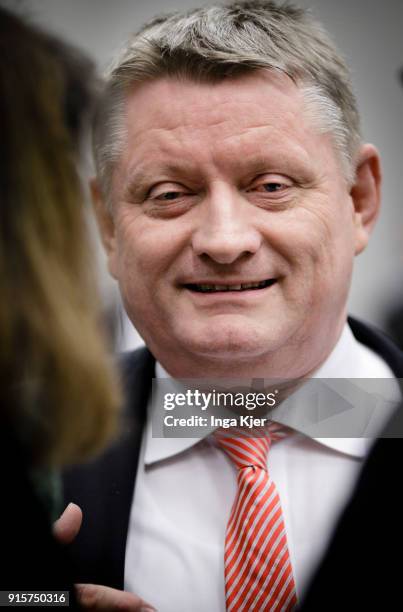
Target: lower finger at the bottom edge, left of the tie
(100,598)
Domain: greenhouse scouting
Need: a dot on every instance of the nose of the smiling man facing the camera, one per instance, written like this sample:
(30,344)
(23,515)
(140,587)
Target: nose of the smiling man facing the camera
(225,230)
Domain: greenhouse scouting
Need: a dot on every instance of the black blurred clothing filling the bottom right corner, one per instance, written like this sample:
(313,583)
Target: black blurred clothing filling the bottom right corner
(361,569)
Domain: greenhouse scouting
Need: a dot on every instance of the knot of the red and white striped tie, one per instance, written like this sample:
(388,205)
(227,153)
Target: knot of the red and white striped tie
(246,447)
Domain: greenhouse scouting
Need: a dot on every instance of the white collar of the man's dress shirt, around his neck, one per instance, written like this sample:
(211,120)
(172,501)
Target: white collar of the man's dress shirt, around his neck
(348,359)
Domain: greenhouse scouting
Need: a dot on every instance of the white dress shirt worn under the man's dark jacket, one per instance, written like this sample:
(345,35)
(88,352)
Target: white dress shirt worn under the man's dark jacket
(185,488)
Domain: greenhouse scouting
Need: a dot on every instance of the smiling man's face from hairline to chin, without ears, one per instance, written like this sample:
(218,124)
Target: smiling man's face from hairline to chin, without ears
(233,229)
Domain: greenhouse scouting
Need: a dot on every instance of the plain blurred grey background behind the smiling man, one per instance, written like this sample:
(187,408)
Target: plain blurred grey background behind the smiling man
(369,34)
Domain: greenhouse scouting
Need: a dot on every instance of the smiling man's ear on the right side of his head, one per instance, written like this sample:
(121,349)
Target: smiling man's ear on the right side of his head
(366,194)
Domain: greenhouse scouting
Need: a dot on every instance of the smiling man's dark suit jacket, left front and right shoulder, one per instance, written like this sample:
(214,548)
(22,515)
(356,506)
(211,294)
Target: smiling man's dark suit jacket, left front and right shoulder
(104,488)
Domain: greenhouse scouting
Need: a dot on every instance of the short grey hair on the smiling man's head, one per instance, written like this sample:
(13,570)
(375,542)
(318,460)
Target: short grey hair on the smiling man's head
(213,43)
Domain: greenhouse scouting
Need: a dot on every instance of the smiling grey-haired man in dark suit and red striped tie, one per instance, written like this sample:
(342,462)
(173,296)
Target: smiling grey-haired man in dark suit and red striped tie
(233,192)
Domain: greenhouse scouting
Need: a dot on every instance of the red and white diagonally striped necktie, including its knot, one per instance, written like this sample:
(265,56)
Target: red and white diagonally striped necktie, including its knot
(258,572)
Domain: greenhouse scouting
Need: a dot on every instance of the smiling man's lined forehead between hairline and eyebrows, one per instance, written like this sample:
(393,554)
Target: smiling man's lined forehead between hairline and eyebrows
(255,118)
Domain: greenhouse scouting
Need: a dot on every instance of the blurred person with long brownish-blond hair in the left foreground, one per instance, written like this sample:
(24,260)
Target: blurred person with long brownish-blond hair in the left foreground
(58,393)
